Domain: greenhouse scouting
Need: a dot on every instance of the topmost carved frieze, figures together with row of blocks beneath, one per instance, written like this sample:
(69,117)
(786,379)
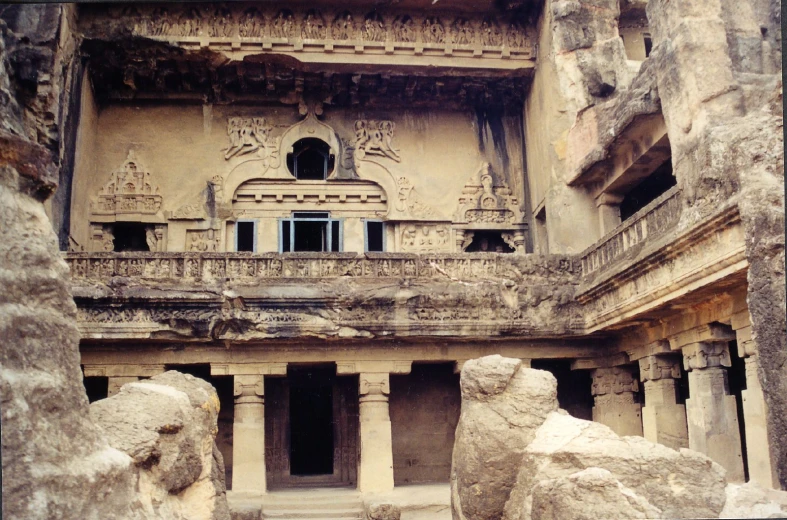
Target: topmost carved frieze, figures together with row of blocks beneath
(399,32)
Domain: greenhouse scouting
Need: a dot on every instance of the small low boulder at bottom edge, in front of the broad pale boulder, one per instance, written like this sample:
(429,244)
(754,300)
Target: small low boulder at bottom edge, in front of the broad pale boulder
(590,494)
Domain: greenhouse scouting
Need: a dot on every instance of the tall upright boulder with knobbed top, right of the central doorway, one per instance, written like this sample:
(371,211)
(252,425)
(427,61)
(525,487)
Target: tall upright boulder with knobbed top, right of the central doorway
(503,404)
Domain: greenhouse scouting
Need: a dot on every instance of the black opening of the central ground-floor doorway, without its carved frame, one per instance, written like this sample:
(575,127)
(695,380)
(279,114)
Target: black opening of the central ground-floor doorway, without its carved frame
(311,421)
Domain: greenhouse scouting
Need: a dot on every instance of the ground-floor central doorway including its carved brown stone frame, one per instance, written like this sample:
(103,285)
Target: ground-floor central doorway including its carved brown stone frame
(311,423)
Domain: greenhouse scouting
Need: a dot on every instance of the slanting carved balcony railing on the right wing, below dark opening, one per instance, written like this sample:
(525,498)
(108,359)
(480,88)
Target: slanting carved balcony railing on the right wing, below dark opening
(647,224)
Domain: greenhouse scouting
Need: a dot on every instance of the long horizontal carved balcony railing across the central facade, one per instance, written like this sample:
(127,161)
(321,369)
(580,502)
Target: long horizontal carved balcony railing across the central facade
(248,267)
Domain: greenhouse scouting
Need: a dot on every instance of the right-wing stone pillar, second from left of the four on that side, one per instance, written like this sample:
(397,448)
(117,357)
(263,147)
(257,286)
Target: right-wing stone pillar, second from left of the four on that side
(663,419)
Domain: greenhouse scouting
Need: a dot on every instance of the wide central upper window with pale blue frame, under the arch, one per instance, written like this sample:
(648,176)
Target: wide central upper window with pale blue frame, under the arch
(310,231)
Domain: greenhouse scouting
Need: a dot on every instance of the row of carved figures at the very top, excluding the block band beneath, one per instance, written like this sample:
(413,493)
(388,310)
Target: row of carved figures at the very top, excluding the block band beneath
(223,22)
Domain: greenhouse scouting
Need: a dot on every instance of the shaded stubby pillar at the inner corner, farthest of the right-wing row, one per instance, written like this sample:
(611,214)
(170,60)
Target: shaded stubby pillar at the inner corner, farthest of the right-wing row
(615,401)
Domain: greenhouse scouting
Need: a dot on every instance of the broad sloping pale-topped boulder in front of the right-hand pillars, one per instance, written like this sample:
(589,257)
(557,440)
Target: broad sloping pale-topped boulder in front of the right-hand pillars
(681,484)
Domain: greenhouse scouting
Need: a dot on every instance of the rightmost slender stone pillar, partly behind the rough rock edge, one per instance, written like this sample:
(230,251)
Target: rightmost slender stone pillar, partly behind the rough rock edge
(755,410)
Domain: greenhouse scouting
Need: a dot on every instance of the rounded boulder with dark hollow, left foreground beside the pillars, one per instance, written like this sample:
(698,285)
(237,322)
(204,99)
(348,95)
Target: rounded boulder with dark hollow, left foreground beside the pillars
(167,425)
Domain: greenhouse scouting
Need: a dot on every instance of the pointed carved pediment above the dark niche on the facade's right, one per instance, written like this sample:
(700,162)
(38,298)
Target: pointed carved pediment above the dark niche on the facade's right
(487,202)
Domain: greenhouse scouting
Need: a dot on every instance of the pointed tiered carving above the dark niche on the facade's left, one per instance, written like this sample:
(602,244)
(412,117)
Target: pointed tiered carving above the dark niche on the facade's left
(129,191)
